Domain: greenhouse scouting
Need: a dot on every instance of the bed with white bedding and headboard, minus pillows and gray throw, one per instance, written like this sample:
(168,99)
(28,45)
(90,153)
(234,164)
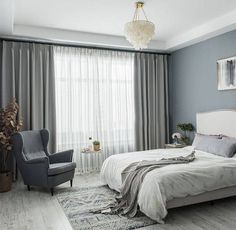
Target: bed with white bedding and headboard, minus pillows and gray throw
(209,177)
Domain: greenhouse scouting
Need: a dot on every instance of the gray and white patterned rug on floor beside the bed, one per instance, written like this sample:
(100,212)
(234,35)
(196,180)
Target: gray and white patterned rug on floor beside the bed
(78,202)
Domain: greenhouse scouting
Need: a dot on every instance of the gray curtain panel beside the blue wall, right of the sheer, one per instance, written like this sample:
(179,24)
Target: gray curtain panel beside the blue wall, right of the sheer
(151,100)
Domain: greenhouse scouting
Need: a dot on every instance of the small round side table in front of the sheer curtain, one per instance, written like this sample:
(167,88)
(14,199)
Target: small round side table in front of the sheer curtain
(92,161)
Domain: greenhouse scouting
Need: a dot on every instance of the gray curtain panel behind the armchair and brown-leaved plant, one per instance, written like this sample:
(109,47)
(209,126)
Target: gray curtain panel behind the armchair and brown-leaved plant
(28,74)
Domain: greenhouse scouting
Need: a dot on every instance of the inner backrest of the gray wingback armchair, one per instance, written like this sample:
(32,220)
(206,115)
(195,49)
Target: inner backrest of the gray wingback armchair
(34,145)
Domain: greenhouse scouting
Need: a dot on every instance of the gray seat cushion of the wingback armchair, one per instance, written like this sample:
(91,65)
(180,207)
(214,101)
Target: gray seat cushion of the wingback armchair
(59,168)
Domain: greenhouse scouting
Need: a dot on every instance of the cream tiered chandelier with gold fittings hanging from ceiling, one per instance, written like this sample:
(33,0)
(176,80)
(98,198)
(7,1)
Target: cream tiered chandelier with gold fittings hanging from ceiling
(139,32)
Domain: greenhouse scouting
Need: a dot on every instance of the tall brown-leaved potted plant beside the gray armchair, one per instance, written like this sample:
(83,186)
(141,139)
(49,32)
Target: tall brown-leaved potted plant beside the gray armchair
(9,124)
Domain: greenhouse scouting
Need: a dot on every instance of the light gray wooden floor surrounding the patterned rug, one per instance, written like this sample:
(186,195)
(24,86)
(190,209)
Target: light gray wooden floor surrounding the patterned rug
(37,210)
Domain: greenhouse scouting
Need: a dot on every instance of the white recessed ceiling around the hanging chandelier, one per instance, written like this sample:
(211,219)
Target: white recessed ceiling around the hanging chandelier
(172,18)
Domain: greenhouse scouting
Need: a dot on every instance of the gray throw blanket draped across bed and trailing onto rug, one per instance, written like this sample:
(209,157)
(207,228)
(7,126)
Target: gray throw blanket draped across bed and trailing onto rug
(132,178)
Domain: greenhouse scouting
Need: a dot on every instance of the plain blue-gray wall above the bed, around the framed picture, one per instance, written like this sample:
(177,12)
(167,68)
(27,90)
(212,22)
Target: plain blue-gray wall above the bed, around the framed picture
(193,79)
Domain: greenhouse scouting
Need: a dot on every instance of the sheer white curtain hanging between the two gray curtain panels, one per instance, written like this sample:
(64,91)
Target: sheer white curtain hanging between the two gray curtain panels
(94,97)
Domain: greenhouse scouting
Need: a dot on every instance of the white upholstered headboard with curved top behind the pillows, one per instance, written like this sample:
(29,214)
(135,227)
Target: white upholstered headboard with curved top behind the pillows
(217,122)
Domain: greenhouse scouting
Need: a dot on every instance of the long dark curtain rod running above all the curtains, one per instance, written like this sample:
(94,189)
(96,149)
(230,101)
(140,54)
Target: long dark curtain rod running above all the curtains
(46,42)
